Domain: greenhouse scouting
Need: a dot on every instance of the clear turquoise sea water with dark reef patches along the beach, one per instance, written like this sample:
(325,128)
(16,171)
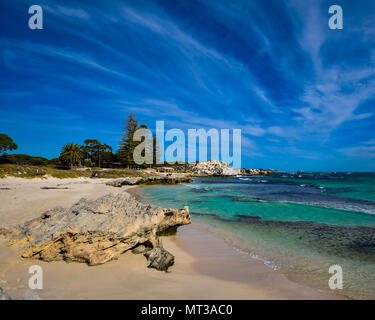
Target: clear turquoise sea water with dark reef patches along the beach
(302,223)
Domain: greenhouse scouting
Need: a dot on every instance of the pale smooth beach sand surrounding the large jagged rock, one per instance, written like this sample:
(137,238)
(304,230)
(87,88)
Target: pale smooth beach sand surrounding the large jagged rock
(206,267)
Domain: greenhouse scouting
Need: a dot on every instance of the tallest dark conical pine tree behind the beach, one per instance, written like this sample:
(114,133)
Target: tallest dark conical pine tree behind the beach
(127,144)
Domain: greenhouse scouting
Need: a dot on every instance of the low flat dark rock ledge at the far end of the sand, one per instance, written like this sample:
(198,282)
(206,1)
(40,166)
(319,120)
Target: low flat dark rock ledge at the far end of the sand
(148,180)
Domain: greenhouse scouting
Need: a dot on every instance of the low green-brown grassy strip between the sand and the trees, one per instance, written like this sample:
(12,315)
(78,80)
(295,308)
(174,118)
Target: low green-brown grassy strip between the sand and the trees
(28,171)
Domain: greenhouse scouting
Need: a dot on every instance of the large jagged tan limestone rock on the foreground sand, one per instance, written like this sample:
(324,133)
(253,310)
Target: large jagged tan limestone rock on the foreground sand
(95,231)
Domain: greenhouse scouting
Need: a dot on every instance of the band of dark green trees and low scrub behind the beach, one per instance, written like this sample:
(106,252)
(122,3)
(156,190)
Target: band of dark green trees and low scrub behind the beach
(85,160)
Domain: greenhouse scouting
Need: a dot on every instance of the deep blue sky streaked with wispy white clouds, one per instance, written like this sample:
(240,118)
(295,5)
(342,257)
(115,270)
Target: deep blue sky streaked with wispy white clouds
(302,94)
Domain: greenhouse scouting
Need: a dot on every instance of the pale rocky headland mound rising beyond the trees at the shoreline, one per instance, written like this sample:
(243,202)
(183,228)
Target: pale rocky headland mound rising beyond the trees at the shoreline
(212,168)
